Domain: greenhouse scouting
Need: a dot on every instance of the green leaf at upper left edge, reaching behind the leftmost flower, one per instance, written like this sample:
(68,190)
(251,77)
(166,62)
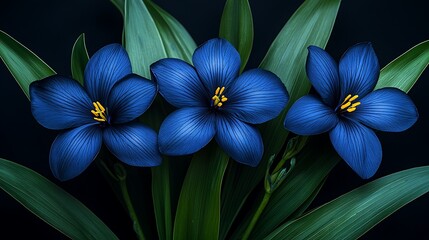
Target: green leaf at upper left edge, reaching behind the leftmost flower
(23,64)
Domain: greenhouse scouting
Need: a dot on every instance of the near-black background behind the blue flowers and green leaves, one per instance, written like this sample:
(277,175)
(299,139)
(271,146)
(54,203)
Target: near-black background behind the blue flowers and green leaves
(50,27)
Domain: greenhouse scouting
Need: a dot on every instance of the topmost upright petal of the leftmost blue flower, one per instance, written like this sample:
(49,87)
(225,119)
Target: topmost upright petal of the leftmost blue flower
(107,66)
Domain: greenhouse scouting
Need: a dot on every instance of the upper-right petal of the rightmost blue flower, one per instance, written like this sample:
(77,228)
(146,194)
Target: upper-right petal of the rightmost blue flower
(359,70)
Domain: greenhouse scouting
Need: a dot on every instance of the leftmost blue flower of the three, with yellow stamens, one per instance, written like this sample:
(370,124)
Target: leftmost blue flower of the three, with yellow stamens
(101,111)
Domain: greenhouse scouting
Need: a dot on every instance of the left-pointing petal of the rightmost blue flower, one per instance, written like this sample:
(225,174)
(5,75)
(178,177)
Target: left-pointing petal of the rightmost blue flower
(309,116)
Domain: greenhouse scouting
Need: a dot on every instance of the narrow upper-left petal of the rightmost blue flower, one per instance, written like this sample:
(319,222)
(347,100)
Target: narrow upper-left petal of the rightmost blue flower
(322,71)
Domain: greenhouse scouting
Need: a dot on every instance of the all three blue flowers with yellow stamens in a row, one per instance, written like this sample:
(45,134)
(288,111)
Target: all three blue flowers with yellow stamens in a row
(214,101)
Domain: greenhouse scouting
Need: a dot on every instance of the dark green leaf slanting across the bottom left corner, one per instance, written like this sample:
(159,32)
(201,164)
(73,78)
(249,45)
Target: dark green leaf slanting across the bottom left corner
(50,203)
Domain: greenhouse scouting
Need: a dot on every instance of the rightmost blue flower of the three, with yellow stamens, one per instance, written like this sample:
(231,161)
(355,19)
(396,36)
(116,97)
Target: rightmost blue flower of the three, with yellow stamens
(347,107)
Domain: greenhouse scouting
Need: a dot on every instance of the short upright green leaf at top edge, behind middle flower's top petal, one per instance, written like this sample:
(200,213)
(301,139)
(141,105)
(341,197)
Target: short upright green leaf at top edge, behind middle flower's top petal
(236,26)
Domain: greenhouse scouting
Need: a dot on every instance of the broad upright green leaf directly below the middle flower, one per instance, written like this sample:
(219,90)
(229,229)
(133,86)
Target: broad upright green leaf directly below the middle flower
(198,209)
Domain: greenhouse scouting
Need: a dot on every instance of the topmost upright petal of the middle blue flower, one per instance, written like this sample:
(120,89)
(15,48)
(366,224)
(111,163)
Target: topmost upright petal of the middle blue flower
(217,63)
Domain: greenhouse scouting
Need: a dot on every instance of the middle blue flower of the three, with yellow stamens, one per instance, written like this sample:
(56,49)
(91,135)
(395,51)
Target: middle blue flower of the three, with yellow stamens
(214,101)
